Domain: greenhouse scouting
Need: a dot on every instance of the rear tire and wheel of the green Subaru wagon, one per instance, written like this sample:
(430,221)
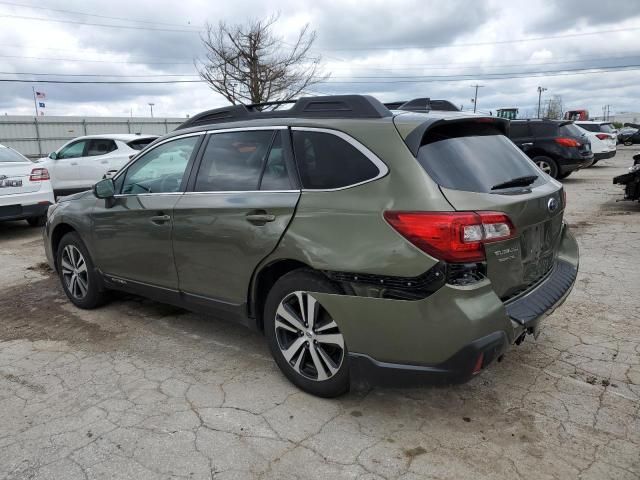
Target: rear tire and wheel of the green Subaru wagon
(305,341)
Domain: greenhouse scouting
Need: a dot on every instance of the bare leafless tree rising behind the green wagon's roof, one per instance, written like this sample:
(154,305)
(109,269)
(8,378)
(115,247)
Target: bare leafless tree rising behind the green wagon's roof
(249,64)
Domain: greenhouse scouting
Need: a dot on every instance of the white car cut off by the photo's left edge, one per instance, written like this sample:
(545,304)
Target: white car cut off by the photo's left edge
(25,189)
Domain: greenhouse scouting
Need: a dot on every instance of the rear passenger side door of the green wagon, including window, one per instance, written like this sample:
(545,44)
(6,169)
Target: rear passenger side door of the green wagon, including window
(239,205)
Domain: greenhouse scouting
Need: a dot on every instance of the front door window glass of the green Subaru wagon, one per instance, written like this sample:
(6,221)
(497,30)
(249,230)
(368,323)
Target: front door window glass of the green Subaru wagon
(162,169)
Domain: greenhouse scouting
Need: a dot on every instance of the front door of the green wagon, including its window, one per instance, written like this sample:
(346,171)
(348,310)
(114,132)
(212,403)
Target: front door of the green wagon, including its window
(132,233)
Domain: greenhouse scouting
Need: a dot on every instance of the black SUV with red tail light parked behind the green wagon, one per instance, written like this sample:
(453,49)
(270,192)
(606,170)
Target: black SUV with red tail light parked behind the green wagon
(556,146)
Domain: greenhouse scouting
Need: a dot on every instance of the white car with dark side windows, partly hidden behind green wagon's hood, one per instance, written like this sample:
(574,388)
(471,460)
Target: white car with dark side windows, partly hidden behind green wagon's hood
(81,162)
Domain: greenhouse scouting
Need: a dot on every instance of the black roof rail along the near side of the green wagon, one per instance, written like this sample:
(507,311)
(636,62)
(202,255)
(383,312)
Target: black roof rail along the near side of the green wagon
(330,106)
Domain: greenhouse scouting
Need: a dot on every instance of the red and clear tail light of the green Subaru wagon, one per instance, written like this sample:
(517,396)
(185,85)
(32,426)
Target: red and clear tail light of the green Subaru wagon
(452,236)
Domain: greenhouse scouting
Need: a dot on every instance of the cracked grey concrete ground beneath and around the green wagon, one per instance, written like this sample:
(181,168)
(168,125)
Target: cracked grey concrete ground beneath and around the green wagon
(142,390)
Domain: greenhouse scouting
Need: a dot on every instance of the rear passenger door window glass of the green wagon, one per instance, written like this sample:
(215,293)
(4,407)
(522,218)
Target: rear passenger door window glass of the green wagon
(233,161)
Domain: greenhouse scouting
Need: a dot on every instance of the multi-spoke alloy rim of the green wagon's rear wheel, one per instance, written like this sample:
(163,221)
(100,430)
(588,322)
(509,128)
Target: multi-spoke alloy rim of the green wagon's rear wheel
(308,338)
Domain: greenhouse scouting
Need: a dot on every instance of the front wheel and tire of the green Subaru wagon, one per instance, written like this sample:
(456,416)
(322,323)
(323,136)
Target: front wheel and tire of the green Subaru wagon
(79,278)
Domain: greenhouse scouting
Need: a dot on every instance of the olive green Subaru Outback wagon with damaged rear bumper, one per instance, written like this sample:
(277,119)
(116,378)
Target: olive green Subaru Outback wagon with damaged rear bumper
(369,245)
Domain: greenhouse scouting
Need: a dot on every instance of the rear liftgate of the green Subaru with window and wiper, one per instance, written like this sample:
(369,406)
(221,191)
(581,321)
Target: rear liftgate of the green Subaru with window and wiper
(470,166)
